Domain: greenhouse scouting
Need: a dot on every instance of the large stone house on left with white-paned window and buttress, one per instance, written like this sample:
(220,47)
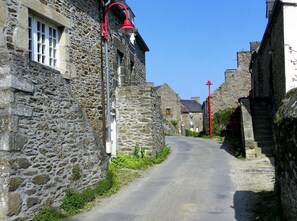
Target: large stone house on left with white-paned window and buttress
(52,98)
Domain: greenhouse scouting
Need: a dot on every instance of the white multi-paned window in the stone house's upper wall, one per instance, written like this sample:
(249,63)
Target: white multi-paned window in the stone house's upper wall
(43,42)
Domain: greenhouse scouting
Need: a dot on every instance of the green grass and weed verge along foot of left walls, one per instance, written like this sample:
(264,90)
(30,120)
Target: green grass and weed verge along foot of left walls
(122,170)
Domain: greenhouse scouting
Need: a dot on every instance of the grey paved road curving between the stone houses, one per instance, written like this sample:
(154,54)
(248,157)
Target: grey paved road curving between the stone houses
(193,184)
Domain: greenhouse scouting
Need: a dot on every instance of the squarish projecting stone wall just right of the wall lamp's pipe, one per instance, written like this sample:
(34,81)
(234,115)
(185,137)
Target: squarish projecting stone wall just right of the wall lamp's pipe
(140,105)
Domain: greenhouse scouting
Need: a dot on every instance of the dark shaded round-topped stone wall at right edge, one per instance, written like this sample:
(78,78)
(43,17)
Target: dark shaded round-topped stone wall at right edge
(286,154)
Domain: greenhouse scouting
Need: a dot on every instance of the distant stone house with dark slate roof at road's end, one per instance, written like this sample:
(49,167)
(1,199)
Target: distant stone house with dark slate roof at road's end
(191,115)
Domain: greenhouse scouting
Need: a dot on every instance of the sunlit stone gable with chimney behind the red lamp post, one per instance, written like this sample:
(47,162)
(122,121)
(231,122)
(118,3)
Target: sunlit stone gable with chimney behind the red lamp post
(237,84)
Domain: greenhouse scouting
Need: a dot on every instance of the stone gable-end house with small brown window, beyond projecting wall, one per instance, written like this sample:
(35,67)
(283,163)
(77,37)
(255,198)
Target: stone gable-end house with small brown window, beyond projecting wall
(170,108)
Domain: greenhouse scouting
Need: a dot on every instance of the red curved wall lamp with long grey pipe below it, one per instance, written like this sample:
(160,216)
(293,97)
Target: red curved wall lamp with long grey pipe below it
(127,28)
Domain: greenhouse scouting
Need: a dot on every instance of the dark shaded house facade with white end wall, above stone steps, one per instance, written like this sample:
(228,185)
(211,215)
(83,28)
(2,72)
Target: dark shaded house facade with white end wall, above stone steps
(273,64)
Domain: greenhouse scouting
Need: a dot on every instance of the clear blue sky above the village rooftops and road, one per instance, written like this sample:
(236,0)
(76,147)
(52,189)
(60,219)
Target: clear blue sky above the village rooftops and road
(194,41)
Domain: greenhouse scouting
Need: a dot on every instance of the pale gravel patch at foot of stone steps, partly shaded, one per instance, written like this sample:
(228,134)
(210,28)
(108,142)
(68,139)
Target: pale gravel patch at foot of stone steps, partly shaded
(251,177)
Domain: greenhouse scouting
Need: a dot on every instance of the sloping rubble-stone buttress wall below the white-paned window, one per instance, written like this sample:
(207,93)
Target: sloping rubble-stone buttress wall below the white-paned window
(44,135)
